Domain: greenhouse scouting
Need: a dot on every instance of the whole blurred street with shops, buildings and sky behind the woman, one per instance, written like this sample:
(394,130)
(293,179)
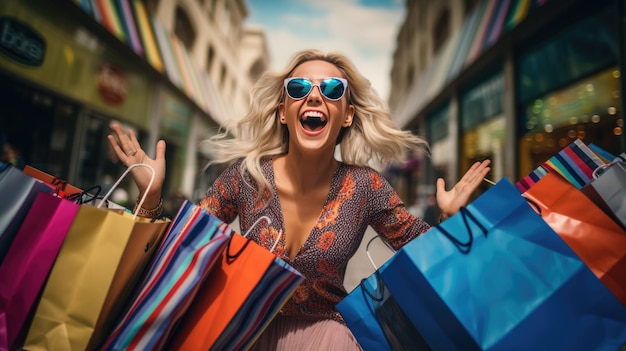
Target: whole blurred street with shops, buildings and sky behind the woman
(509,80)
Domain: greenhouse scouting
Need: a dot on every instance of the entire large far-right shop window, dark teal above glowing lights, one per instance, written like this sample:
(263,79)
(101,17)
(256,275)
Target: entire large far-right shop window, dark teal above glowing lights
(568,88)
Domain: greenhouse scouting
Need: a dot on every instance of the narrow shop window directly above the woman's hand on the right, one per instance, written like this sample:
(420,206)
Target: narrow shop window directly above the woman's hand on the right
(483,125)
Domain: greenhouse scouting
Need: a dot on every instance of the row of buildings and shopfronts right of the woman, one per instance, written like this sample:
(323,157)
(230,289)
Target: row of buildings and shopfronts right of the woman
(510,80)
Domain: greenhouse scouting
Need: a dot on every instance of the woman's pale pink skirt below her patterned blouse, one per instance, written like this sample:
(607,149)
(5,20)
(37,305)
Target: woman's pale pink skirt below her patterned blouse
(295,333)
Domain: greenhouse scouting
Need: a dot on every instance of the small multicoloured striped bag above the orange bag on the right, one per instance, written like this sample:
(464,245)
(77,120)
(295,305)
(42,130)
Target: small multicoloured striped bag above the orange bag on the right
(575,162)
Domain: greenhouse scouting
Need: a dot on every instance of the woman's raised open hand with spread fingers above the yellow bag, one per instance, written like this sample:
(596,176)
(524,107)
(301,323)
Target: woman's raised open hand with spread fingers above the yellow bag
(129,152)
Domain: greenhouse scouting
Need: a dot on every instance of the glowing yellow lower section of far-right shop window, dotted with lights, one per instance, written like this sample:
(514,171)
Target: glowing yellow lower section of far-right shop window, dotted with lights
(588,109)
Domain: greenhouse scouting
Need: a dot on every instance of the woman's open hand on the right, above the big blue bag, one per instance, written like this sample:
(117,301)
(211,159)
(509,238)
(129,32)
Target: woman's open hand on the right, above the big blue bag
(450,202)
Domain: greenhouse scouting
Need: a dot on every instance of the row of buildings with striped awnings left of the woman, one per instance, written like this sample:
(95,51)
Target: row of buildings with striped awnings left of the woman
(170,69)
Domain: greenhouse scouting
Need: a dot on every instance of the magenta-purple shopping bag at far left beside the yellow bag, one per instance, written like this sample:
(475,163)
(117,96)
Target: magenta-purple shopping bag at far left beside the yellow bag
(28,262)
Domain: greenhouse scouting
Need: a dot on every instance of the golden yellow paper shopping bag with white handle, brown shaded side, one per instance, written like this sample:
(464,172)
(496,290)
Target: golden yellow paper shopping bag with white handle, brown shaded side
(92,277)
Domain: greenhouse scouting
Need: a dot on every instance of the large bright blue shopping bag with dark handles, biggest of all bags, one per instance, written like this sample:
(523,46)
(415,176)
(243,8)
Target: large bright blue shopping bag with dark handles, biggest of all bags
(495,276)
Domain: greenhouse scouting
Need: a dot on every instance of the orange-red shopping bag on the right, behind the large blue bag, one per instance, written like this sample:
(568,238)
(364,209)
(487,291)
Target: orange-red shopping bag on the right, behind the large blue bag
(598,241)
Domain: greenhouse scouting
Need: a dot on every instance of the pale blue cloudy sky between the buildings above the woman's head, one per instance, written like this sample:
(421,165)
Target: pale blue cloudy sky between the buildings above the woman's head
(364,30)
